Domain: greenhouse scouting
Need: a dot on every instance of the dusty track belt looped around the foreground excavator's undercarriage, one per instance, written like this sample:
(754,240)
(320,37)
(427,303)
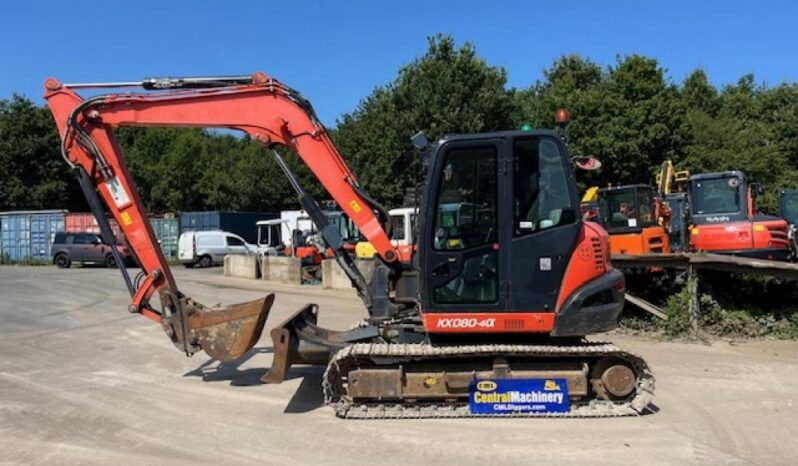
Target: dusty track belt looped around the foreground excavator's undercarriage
(347,358)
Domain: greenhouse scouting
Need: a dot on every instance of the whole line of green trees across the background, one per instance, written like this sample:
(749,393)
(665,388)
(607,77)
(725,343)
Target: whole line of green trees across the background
(629,114)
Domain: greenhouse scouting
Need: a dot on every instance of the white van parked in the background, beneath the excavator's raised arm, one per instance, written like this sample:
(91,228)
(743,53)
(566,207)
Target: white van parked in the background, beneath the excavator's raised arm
(206,248)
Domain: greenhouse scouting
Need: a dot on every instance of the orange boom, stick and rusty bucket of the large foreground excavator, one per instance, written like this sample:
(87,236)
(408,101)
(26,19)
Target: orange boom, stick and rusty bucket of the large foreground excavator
(264,108)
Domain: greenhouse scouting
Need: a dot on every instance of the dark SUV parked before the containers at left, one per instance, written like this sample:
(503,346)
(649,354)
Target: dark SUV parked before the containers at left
(85,248)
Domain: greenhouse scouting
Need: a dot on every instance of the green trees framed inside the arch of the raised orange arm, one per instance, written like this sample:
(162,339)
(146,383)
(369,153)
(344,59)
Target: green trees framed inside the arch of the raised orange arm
(180,169)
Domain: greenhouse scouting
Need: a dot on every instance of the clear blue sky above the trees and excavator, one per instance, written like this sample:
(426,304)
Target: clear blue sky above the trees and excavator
(337,53)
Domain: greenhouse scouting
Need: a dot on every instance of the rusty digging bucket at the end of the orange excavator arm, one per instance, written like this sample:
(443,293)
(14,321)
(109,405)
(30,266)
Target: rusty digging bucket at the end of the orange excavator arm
(227,332)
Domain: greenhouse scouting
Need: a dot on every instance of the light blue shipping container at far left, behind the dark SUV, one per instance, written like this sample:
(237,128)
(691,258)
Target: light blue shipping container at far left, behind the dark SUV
(29,234)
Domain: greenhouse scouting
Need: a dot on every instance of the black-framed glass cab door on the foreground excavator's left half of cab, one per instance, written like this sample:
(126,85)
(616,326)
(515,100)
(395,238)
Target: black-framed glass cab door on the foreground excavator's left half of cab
(465,215)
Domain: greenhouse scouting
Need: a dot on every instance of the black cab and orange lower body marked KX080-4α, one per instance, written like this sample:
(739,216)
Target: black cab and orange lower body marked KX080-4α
(499,226)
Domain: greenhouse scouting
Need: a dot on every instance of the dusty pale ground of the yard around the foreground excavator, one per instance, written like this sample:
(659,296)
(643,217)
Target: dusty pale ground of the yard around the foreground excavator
(84,382)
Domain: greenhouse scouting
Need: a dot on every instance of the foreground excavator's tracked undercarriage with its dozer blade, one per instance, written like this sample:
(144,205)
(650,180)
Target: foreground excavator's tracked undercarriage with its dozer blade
(371,375)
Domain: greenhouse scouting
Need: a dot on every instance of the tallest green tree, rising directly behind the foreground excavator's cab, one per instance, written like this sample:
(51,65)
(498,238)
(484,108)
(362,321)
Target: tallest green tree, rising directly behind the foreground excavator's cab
(448,90)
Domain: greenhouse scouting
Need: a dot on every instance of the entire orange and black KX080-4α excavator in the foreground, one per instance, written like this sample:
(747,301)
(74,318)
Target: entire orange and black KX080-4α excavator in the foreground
(504,294)
